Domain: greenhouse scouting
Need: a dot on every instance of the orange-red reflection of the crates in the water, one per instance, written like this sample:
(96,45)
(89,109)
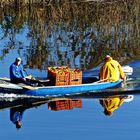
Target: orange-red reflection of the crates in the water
(64,104)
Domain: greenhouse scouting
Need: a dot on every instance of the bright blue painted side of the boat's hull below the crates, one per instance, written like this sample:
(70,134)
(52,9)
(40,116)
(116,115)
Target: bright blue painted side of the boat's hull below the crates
(72,89)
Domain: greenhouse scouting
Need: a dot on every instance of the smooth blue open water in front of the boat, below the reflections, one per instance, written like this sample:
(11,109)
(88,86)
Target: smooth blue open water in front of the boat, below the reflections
(86,123)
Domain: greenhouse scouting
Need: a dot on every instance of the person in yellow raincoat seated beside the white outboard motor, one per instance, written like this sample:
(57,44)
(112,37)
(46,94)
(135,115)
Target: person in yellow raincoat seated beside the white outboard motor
(111,69)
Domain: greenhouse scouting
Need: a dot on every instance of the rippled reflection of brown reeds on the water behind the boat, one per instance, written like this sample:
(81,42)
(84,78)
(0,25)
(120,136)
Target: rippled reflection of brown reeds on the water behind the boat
(74,34)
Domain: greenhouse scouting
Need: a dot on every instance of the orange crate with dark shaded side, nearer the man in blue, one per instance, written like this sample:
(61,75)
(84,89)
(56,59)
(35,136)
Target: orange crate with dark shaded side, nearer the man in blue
(58,79)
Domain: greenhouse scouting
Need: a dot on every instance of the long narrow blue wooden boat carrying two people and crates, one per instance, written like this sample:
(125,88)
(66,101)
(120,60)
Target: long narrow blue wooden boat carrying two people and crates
(56,90)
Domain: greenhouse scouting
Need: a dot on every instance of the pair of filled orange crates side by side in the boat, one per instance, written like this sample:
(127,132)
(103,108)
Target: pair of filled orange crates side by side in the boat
(59,76)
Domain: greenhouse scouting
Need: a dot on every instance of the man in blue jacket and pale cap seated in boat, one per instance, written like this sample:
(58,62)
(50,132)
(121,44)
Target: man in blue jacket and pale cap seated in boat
(17,74)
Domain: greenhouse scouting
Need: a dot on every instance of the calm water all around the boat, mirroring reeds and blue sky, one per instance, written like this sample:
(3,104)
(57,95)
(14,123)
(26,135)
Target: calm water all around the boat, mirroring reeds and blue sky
(78,35)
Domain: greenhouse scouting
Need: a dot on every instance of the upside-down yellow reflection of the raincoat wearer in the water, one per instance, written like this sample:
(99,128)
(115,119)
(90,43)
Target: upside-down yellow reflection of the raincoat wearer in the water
(111,104)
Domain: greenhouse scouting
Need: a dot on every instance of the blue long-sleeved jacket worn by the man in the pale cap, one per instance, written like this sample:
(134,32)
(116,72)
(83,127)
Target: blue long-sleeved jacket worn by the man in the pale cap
(16,71)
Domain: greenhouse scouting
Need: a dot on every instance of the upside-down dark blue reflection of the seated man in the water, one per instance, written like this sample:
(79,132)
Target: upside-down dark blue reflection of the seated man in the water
(16,115)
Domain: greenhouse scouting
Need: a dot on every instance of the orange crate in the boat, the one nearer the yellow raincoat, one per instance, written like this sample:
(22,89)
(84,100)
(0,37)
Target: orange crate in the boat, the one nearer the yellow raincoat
(75,78)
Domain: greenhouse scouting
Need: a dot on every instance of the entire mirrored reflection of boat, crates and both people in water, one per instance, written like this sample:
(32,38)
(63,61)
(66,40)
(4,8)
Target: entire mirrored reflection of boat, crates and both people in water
(19,106)
